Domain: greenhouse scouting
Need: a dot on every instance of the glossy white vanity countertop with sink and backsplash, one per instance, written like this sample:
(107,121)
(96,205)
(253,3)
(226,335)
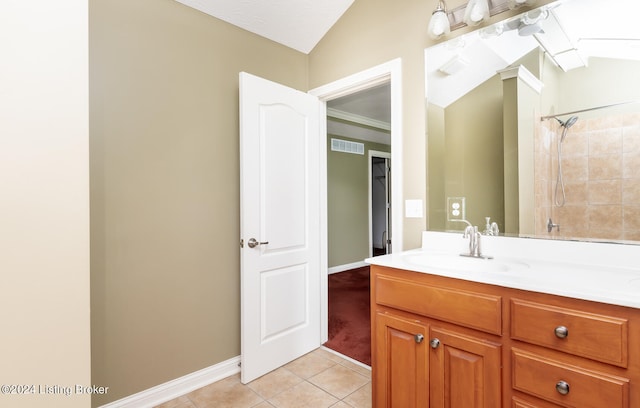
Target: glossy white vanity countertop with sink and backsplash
(601,272)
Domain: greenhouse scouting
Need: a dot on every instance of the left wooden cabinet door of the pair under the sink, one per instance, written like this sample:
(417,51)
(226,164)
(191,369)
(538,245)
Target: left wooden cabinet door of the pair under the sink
(400,363)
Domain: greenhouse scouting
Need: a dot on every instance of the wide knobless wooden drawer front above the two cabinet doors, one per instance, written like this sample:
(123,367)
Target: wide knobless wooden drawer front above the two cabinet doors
(469,309)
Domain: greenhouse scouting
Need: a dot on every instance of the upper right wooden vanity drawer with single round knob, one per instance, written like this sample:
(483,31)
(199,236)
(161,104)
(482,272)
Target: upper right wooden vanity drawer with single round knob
(598,337)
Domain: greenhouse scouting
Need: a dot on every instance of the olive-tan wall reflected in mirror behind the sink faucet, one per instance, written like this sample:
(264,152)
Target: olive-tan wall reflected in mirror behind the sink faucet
(466,157)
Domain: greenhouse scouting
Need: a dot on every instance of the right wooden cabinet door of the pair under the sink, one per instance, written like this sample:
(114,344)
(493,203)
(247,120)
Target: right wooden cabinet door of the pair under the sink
(465,372)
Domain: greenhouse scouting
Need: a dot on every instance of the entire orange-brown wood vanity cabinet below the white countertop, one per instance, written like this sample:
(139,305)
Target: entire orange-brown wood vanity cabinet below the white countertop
(443,342)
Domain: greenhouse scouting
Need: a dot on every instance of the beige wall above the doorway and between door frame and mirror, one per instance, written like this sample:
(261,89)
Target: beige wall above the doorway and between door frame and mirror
(373,32)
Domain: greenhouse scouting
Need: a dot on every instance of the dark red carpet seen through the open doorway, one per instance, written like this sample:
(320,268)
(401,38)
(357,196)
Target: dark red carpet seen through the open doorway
(349,314)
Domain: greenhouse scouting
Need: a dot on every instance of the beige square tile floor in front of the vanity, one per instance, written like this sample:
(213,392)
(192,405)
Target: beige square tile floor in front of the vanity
(320,379)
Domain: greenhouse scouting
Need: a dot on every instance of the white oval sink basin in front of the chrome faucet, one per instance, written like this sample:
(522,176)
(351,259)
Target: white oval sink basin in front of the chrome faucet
(451,262)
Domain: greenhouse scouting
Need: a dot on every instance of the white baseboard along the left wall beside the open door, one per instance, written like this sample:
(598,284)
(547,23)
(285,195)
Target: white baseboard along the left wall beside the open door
(178,387)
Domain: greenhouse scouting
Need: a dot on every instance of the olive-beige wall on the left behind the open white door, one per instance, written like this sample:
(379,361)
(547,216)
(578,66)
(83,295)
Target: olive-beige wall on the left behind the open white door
(165,261)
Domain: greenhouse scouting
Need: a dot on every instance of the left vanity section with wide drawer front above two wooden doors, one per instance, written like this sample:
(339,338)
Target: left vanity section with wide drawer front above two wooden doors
(421,360)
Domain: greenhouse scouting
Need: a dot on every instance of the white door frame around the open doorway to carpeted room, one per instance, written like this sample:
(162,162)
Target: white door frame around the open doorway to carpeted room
(388,72)
